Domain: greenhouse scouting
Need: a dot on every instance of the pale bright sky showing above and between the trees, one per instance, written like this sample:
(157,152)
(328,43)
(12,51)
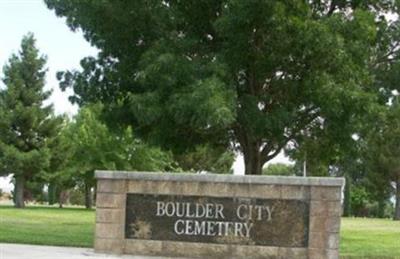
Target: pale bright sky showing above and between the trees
(64,50)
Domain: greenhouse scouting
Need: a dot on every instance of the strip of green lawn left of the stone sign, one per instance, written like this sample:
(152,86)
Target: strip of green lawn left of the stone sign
(47,226)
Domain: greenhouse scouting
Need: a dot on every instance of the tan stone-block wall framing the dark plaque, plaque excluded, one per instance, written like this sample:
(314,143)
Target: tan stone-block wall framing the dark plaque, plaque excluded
(323,195)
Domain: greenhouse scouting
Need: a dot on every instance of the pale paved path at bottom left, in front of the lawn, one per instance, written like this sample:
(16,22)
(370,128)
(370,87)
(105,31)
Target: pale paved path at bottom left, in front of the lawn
(13,251)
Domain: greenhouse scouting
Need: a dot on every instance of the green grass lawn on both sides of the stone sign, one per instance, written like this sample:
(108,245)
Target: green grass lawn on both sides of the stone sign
(360,238)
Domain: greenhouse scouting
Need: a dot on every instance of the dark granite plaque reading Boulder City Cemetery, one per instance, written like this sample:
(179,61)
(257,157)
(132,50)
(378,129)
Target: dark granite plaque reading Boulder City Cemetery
(223,220)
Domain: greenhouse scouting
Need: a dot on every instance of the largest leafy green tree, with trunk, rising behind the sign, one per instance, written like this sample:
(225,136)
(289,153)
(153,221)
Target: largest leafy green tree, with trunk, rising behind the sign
(245,75)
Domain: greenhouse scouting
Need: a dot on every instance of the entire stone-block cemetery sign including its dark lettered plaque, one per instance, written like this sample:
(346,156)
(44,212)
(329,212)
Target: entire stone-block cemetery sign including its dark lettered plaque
(217,216)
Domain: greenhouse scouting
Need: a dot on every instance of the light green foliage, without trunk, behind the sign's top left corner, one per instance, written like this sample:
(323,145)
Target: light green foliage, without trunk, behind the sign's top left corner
(94,146)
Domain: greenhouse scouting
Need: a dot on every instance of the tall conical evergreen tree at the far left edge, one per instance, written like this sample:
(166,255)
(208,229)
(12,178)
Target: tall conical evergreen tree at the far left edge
(26,123)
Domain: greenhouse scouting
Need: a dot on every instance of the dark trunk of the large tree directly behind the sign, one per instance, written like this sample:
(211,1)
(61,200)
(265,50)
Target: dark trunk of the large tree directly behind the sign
(252,160)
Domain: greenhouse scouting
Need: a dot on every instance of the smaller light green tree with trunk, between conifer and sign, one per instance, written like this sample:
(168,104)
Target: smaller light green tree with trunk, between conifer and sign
(91,145)
